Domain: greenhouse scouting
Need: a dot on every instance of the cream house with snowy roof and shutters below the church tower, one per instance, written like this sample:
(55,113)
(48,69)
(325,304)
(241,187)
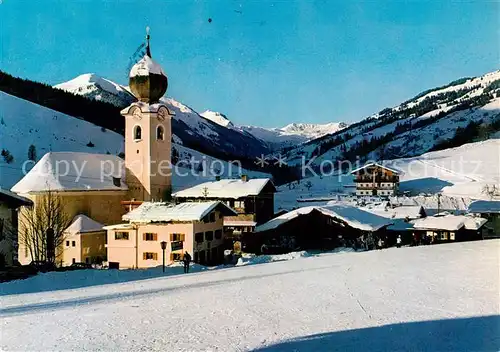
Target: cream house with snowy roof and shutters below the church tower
(192,227)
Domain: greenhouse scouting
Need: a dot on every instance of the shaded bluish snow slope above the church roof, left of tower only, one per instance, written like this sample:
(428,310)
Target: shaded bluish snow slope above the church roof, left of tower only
(26,124)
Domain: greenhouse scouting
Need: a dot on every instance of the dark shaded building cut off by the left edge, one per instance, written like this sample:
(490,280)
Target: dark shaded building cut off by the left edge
(9,204)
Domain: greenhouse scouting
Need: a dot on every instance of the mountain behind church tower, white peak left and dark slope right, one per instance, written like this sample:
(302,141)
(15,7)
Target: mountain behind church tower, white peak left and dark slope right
(188,127)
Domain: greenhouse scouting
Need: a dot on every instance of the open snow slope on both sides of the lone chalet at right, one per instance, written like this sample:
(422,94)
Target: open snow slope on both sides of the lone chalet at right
(460,174)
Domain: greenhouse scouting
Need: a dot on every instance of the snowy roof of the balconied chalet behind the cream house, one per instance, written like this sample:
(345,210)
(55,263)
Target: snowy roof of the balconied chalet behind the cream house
(226,188)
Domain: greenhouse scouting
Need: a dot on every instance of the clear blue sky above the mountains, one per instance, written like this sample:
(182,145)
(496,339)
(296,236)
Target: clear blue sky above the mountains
(265,63)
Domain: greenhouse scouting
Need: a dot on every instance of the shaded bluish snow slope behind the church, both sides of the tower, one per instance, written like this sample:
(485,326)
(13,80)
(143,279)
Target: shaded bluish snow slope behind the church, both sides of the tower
(23,123)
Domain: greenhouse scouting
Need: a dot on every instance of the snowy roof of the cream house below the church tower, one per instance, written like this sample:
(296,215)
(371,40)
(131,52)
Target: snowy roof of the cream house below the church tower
(165,212)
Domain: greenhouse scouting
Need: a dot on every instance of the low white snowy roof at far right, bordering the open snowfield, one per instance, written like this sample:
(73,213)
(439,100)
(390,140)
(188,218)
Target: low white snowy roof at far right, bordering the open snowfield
(449,223)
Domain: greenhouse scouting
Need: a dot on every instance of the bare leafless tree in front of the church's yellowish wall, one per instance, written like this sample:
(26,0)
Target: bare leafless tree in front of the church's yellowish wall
(41,227)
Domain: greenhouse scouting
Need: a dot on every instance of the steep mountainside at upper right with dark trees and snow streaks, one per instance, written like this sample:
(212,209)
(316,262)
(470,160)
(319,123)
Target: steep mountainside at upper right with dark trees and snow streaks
(413,127)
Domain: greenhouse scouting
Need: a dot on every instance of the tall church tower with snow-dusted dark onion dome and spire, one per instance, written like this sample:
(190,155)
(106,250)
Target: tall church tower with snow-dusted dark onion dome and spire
(148,132)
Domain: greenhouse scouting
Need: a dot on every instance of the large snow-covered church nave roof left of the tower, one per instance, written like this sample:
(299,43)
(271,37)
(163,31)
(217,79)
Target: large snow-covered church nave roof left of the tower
(71,171)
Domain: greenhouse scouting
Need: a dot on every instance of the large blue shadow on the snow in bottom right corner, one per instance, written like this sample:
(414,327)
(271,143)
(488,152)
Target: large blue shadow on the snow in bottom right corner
(462,334)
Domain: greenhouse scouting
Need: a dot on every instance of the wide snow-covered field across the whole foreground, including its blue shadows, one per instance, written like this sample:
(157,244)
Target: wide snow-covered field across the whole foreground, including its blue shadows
(433,298)
